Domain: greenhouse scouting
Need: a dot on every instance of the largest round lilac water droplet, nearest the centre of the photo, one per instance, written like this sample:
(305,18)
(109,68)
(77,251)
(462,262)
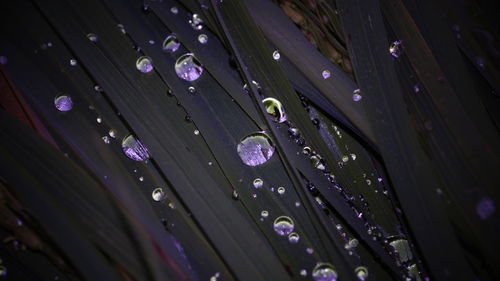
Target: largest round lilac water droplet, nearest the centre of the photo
(255,149)
